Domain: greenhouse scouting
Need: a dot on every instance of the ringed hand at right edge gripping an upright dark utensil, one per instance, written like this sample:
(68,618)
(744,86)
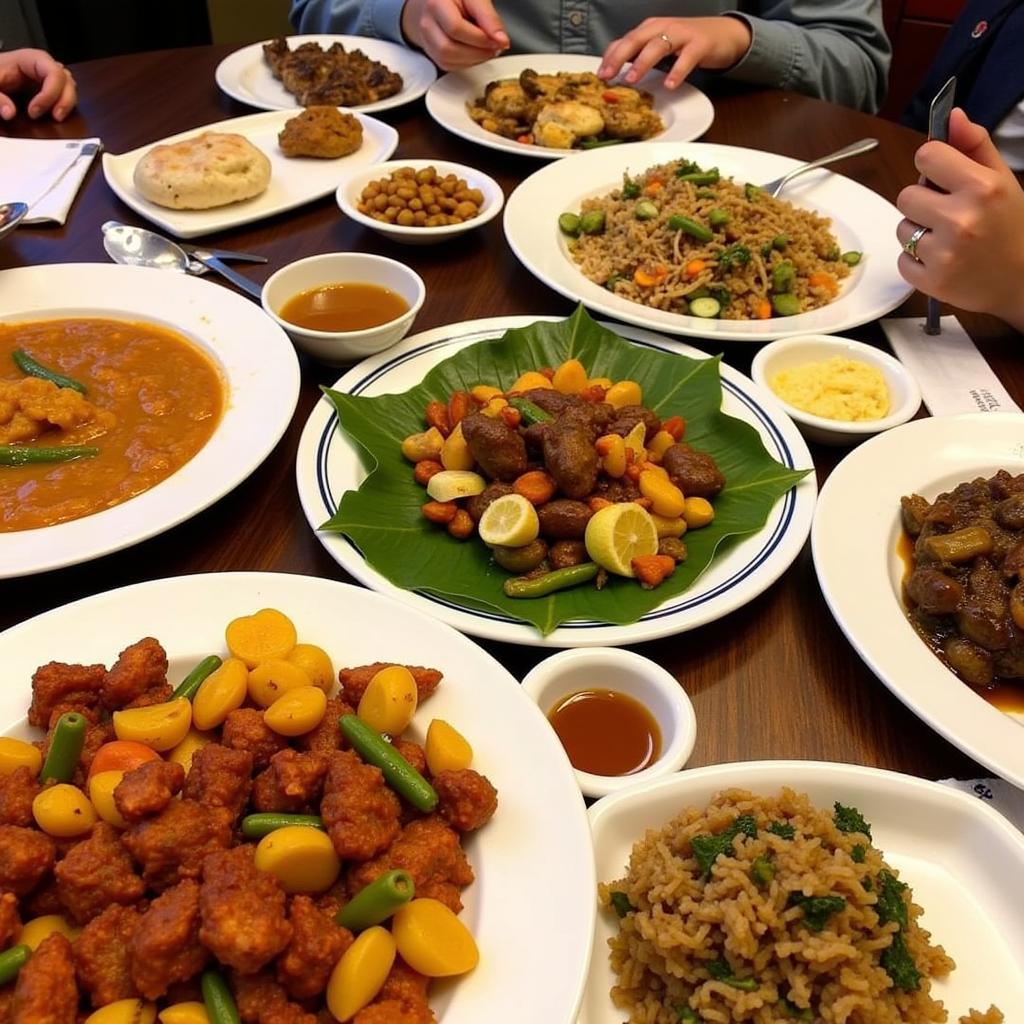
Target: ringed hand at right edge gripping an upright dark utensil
(972,255)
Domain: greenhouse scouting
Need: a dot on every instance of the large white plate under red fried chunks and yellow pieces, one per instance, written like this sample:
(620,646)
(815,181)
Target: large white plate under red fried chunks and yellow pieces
(531,911)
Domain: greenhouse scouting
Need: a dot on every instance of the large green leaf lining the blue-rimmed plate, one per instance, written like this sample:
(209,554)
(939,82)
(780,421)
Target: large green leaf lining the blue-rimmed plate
(383,518)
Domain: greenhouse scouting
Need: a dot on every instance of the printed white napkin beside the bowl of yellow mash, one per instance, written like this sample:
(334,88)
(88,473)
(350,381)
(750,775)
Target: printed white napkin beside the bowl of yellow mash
(952,373)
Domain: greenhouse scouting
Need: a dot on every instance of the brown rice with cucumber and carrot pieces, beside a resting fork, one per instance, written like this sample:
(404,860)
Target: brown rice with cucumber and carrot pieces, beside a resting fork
(691,241)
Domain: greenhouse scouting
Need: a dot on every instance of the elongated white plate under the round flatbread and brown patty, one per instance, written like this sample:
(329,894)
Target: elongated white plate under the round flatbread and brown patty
(294,181)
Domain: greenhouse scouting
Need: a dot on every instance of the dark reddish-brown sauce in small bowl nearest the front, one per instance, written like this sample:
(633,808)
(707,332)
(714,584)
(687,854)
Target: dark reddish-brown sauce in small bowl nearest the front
(606,733)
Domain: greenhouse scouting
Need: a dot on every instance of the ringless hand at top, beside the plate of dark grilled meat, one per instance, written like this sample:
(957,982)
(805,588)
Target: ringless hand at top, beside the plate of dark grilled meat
(455,33)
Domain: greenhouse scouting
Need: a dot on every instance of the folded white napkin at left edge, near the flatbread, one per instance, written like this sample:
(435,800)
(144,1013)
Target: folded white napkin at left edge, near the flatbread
(45,174)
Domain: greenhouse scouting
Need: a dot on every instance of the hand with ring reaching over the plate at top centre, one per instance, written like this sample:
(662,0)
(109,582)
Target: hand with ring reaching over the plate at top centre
(715,44)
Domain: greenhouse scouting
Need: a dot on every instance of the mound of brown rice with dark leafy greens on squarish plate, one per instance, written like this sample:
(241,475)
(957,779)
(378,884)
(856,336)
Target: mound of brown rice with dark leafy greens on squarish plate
(771,911)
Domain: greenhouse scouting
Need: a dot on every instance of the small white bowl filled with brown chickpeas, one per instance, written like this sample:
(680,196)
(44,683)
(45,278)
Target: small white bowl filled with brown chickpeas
(420,202)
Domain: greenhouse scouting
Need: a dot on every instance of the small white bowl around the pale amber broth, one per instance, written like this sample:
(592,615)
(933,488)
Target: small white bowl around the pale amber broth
(337,349)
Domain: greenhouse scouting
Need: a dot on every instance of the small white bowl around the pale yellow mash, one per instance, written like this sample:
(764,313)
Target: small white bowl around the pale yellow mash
(905,396)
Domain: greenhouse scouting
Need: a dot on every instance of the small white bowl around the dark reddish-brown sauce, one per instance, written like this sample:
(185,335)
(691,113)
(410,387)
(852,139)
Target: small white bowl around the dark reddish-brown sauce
(614,669)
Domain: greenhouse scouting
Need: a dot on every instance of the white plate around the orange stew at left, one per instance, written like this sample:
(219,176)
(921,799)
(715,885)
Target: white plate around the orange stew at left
(262,377)
